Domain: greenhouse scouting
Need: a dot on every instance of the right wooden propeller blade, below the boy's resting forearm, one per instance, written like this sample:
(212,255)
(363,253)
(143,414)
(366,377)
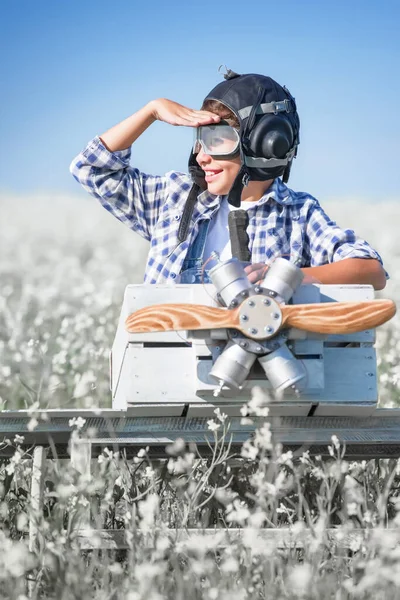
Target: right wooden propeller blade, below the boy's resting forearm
(338,317)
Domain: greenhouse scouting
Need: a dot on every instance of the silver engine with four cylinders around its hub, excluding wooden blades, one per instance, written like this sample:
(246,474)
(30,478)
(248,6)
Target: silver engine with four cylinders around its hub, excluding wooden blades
(261,315)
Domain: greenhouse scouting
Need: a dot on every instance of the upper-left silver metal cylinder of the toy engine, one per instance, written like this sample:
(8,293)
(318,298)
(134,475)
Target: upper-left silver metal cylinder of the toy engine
(230,280)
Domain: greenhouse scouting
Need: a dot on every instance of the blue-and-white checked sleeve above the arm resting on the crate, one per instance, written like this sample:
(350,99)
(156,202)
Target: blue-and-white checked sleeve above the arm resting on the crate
(330,243)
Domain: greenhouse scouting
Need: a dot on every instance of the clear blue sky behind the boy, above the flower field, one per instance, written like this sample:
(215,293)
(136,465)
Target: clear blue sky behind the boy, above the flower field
(70,70)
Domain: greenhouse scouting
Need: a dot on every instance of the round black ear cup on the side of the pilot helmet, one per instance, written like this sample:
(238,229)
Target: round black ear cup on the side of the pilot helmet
(271,137)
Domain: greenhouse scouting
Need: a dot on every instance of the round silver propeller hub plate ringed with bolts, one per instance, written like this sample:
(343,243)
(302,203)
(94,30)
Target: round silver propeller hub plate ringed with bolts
(260,317)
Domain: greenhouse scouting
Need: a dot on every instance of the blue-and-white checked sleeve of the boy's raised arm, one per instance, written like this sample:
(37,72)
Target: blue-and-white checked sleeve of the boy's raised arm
(133,197)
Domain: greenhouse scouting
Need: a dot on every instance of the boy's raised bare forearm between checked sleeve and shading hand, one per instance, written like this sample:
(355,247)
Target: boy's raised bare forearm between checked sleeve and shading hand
(123,135)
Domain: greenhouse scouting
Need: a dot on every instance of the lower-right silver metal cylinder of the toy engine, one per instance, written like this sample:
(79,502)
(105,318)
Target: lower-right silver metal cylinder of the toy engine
(283,369)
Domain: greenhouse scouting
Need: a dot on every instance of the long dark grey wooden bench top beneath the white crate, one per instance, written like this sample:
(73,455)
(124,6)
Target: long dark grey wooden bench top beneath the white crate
(365,437)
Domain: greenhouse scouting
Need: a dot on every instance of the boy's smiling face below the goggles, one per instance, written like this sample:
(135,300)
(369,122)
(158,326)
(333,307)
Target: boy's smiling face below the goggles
(219,174)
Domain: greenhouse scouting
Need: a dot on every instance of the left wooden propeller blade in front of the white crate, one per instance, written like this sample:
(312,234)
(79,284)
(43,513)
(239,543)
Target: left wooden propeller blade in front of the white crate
(177,317)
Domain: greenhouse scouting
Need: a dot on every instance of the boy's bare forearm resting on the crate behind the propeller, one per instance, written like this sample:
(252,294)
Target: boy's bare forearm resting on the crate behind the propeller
(349,270)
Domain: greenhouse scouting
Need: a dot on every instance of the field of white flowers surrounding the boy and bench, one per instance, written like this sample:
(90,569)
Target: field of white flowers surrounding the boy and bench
(64,263)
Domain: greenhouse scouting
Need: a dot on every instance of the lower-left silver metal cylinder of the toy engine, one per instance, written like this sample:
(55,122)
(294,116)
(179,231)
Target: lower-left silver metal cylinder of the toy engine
(233,365)
